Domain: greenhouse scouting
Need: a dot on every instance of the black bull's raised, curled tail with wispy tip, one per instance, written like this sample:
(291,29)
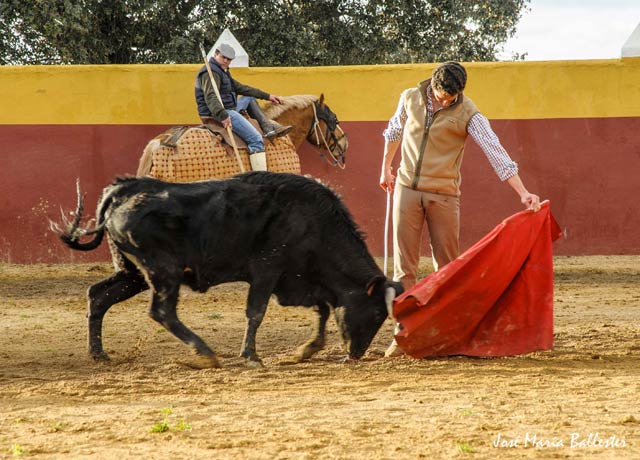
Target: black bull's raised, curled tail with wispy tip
(72,231)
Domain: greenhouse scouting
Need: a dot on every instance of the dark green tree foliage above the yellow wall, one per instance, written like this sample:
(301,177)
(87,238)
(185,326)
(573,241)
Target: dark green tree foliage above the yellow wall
(274,32)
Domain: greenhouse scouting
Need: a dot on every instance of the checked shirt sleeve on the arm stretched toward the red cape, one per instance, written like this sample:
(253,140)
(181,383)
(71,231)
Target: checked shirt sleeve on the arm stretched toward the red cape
(480,130)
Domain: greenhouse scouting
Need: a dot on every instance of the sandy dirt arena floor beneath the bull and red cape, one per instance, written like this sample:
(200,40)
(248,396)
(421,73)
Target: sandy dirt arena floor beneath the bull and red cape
(581,400)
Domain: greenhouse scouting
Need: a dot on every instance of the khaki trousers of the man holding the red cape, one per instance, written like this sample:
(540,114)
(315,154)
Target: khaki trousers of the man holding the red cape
(411,209)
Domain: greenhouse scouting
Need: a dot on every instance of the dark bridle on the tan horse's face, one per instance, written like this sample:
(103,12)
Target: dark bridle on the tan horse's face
(331,121)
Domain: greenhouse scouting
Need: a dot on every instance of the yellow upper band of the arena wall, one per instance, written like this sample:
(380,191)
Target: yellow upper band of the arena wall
(163,94)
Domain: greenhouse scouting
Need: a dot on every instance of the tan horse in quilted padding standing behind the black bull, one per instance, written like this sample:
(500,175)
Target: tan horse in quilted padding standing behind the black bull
(312,120)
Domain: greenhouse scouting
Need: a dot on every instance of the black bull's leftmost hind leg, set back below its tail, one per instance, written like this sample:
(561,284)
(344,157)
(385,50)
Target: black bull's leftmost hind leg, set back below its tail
(117,288)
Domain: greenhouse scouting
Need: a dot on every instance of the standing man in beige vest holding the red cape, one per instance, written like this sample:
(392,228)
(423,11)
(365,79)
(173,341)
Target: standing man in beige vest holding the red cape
(431,124)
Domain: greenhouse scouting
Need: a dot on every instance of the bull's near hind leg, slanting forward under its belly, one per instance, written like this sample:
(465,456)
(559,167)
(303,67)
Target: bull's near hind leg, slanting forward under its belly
(163,310)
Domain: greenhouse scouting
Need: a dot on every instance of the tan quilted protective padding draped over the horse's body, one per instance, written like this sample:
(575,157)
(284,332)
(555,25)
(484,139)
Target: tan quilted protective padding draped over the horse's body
(205,152)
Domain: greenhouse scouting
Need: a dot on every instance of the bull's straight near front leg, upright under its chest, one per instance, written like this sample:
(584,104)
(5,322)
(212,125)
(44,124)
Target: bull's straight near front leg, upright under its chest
(259,293)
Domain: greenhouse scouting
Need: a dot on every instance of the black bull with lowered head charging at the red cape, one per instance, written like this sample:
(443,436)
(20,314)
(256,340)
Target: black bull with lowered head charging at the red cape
(283,234)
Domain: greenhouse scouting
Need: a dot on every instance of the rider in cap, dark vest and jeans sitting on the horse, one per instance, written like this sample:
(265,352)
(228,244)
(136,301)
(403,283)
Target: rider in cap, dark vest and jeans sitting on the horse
(226,112)
